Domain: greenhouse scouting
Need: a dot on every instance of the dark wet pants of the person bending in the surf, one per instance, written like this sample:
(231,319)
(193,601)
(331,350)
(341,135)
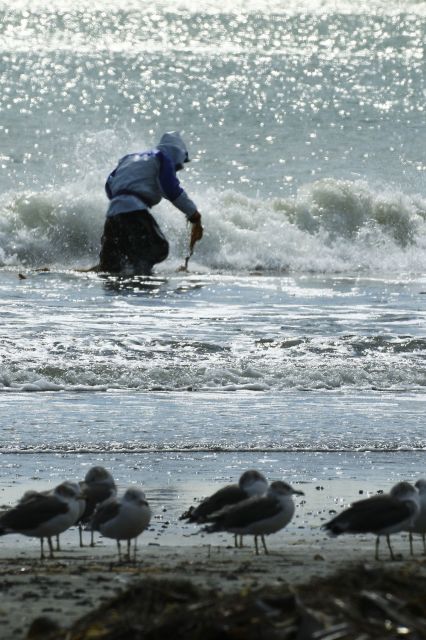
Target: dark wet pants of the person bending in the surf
(132,243)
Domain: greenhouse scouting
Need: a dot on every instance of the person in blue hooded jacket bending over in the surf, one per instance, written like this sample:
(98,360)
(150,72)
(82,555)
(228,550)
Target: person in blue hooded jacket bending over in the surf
(132,242)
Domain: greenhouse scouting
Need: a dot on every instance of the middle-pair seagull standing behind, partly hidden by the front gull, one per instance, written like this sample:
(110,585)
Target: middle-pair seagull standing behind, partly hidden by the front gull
(251,483)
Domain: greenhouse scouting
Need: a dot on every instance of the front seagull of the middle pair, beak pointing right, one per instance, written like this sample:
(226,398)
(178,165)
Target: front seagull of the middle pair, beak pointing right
(259,515)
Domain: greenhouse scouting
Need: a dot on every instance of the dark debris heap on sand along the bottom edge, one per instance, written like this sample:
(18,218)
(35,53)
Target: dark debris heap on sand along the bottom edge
(356,604)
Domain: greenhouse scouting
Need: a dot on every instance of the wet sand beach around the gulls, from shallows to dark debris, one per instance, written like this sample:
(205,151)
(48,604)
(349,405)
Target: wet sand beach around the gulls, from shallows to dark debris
(79,580)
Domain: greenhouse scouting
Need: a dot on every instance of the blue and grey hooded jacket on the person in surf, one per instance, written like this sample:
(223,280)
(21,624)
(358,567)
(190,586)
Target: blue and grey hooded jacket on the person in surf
(141,180)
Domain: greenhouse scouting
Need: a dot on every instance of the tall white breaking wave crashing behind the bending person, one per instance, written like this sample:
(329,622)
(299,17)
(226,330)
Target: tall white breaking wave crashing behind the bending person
(327,226)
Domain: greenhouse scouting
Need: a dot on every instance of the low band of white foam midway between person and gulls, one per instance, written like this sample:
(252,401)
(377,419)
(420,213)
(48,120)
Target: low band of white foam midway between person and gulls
(371,372)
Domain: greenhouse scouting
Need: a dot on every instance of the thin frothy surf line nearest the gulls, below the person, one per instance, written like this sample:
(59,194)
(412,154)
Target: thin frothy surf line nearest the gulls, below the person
(384,375)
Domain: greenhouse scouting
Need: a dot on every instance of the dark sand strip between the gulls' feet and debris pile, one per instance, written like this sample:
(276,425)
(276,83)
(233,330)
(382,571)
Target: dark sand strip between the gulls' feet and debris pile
(78,580)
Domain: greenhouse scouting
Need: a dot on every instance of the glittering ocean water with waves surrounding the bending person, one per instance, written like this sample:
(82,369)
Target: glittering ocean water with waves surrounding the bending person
(296,342)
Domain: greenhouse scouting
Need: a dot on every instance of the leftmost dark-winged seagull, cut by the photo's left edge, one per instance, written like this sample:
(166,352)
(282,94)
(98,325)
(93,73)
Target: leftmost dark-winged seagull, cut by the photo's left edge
(44,515)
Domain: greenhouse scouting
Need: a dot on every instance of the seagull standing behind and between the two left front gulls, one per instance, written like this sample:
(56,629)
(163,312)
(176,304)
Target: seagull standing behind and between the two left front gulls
(98,486)
